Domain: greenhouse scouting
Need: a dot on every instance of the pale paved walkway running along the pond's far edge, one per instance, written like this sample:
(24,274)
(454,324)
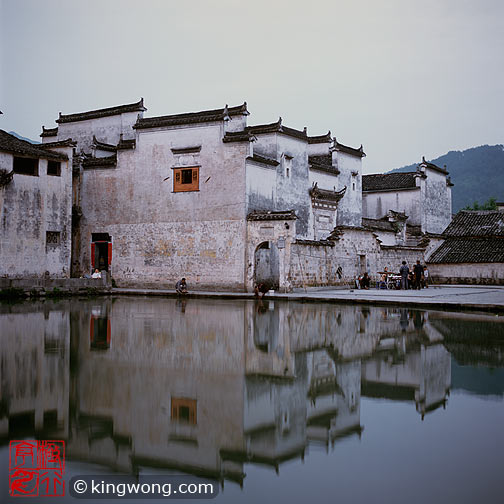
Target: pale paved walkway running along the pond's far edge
(456,297)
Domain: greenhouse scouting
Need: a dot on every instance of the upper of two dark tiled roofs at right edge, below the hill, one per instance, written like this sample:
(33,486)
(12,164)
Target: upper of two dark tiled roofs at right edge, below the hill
(476,223)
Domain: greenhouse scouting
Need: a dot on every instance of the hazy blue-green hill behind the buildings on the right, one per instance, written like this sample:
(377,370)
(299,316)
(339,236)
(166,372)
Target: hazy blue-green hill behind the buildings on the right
(478,174)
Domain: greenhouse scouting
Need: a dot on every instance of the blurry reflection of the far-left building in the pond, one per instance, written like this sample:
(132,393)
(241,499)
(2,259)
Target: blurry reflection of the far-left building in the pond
(34,370)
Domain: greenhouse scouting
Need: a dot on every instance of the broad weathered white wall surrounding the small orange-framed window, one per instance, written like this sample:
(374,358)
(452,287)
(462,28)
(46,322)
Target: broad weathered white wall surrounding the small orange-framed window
(158,236)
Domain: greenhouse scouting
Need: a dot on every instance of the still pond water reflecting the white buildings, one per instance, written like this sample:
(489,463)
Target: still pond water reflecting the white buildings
(275,401)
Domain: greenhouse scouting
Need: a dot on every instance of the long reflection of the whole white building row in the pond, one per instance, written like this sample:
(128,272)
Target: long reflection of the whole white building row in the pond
(211,388)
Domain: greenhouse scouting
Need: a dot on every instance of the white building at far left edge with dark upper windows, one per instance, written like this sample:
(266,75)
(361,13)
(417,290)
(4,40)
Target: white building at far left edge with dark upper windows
(35,208)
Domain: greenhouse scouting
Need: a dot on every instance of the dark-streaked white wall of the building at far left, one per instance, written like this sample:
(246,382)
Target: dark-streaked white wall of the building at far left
(30,206)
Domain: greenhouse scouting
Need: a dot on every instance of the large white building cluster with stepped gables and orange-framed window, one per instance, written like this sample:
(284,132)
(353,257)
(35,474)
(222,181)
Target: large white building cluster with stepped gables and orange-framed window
(227,205)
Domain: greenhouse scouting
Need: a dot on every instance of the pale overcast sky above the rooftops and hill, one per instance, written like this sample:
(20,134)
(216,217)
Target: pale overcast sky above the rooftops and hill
(405,78)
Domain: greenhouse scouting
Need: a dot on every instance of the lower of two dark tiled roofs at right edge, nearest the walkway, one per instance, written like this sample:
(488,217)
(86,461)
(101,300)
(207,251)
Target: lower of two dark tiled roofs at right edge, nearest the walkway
(472,250)
